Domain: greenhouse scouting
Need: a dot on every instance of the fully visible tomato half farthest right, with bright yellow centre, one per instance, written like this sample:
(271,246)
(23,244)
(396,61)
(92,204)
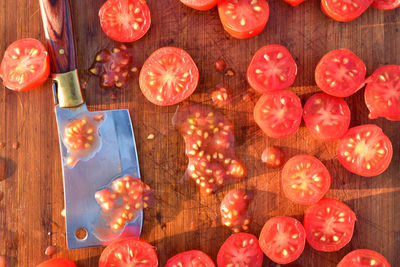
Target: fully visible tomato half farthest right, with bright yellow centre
(365,150)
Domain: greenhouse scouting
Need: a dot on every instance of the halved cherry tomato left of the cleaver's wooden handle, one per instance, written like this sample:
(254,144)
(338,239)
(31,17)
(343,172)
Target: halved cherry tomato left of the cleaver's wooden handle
(25,65)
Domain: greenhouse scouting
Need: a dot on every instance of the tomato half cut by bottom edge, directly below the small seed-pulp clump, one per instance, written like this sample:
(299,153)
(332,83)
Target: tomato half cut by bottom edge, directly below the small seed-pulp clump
(240,250)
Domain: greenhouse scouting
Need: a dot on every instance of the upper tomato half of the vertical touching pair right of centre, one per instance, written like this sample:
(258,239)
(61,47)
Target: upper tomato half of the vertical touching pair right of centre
(272,68)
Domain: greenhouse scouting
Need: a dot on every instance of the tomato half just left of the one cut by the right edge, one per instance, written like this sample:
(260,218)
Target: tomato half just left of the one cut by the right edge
(340,73)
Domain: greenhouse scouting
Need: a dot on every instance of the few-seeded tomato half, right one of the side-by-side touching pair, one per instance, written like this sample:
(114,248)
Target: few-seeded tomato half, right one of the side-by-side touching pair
(327,117)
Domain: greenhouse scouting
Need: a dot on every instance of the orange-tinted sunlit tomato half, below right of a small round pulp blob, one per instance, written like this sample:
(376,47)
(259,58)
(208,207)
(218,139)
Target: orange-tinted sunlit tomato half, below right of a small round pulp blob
(305,179)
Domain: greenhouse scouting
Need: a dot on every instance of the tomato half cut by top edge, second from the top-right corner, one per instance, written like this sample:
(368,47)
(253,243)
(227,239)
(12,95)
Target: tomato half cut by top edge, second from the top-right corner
(344,10)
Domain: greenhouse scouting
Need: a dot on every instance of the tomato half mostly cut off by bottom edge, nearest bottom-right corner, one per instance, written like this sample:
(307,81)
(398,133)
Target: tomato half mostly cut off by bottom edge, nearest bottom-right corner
(363,258)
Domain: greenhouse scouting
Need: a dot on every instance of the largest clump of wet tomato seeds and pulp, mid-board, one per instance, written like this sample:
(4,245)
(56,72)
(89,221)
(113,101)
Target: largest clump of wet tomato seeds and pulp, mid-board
(210,143)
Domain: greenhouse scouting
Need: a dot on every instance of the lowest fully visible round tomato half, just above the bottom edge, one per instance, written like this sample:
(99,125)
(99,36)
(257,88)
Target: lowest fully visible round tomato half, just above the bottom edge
(282,239)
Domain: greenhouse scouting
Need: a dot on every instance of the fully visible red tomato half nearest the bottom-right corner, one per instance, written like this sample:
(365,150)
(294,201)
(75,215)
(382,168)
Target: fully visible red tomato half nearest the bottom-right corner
(329,225)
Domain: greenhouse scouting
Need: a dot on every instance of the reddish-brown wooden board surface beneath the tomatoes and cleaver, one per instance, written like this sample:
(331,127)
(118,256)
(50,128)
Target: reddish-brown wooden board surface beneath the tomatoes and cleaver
(181,218)
